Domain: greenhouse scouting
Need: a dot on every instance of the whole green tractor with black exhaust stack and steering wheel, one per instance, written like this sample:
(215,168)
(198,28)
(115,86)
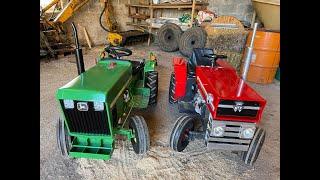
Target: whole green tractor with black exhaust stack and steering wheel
(96,105)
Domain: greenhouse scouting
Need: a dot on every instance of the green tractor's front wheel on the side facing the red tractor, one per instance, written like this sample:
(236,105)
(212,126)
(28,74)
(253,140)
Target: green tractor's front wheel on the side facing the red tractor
(141,140)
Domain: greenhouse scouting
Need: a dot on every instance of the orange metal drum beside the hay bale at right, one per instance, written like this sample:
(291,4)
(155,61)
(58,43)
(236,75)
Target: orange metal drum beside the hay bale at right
(265,57)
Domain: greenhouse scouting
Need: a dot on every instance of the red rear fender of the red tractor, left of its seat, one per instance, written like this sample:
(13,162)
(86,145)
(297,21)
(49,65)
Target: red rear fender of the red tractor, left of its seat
(180,72)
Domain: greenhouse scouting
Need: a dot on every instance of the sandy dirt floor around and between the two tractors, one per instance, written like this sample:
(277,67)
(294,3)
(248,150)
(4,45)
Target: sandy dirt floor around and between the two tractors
(160,163)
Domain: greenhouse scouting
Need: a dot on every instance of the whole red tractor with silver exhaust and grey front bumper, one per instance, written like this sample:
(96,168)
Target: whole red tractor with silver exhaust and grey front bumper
(223,110)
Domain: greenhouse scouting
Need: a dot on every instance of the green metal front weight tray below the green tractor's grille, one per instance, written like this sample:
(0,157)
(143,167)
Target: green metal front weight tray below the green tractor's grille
(92,147)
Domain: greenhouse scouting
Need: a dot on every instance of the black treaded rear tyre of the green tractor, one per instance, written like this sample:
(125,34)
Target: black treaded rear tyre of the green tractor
(152,84)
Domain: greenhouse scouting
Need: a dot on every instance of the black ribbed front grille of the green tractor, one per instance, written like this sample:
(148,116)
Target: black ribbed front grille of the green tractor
(91,121)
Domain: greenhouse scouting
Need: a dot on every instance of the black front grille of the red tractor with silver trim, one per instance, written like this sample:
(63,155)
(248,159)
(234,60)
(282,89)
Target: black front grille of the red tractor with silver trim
(226,108)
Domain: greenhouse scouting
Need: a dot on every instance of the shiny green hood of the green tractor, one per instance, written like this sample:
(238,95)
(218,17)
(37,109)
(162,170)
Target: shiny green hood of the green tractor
(98,83)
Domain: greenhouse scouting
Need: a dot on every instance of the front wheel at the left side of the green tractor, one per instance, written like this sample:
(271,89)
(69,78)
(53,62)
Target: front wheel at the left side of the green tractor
(63,138)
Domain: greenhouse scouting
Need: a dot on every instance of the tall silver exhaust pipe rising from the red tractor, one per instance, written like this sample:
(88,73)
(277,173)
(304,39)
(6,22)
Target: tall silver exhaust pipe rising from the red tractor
(247,61)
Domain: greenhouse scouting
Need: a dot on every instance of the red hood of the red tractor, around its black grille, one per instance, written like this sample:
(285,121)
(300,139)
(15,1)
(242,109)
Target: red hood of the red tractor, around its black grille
(222,82)
